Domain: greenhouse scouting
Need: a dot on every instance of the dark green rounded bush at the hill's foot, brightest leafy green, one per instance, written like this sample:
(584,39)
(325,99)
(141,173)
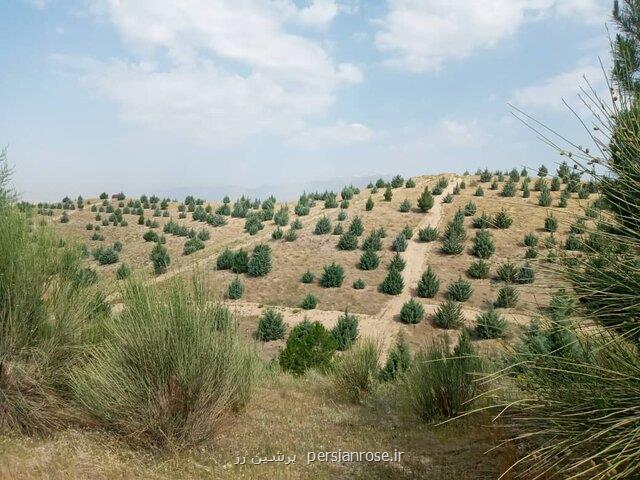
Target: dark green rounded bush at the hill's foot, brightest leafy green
(309,345)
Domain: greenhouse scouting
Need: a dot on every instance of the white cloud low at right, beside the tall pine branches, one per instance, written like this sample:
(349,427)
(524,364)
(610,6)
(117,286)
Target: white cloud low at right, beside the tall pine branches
(550,93)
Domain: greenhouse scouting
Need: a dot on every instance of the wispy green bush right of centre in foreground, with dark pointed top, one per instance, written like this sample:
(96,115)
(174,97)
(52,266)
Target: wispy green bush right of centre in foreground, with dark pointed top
(441,384)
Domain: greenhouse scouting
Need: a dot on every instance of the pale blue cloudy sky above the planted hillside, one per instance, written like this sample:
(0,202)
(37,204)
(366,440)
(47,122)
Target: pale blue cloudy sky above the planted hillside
(205,95)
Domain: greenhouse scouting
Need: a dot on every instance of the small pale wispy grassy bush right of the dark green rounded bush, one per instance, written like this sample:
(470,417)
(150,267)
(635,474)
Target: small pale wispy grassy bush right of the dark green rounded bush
(356,372)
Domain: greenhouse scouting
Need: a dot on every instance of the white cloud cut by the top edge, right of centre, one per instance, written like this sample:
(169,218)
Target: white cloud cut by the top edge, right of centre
(422,35)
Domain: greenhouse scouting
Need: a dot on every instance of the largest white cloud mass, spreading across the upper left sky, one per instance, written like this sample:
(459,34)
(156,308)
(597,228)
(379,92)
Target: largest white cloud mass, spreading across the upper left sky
(218,71)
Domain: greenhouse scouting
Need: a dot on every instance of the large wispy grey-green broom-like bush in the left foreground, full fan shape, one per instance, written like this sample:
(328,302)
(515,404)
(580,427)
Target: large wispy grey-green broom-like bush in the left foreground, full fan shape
(135,381)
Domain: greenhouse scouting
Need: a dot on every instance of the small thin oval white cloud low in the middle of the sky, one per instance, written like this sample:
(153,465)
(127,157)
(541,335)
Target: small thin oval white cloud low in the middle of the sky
(341,133)
